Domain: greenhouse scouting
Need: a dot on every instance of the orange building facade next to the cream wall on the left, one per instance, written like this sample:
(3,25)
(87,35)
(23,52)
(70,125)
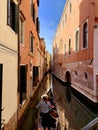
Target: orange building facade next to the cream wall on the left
(29,40)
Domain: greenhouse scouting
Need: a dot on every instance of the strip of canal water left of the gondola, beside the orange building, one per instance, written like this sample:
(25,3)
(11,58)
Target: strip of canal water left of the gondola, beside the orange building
(30,119)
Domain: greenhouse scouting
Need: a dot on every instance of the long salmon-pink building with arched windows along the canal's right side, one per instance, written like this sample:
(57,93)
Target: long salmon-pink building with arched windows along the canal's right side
(75,46)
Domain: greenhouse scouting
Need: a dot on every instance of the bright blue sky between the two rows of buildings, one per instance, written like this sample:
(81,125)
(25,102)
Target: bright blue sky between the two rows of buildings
(50,12)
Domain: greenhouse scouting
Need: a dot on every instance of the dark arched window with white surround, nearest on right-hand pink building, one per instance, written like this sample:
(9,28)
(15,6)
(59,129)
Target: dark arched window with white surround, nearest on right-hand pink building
(85,35)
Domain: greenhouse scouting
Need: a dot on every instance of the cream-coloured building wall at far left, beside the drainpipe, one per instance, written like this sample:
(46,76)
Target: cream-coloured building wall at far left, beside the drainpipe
(8,61)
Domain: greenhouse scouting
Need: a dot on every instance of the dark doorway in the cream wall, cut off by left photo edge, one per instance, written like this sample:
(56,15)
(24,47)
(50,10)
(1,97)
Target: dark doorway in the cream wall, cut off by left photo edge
(1,66)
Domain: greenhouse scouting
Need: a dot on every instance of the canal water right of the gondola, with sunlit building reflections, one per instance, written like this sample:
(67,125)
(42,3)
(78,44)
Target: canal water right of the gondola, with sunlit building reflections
(73,114)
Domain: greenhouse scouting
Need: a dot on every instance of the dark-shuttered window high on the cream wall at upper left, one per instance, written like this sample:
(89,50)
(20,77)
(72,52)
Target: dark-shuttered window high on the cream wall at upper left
(13,15)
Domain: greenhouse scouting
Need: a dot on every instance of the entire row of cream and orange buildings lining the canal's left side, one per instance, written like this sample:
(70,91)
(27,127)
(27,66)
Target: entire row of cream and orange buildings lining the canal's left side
(22,59)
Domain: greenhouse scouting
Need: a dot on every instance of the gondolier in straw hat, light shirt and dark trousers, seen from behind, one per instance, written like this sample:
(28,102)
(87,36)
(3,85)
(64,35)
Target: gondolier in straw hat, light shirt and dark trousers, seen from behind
(44,107)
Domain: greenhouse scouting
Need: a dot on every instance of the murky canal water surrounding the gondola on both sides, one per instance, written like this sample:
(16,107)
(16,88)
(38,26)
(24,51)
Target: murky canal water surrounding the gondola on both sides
(73,113)
